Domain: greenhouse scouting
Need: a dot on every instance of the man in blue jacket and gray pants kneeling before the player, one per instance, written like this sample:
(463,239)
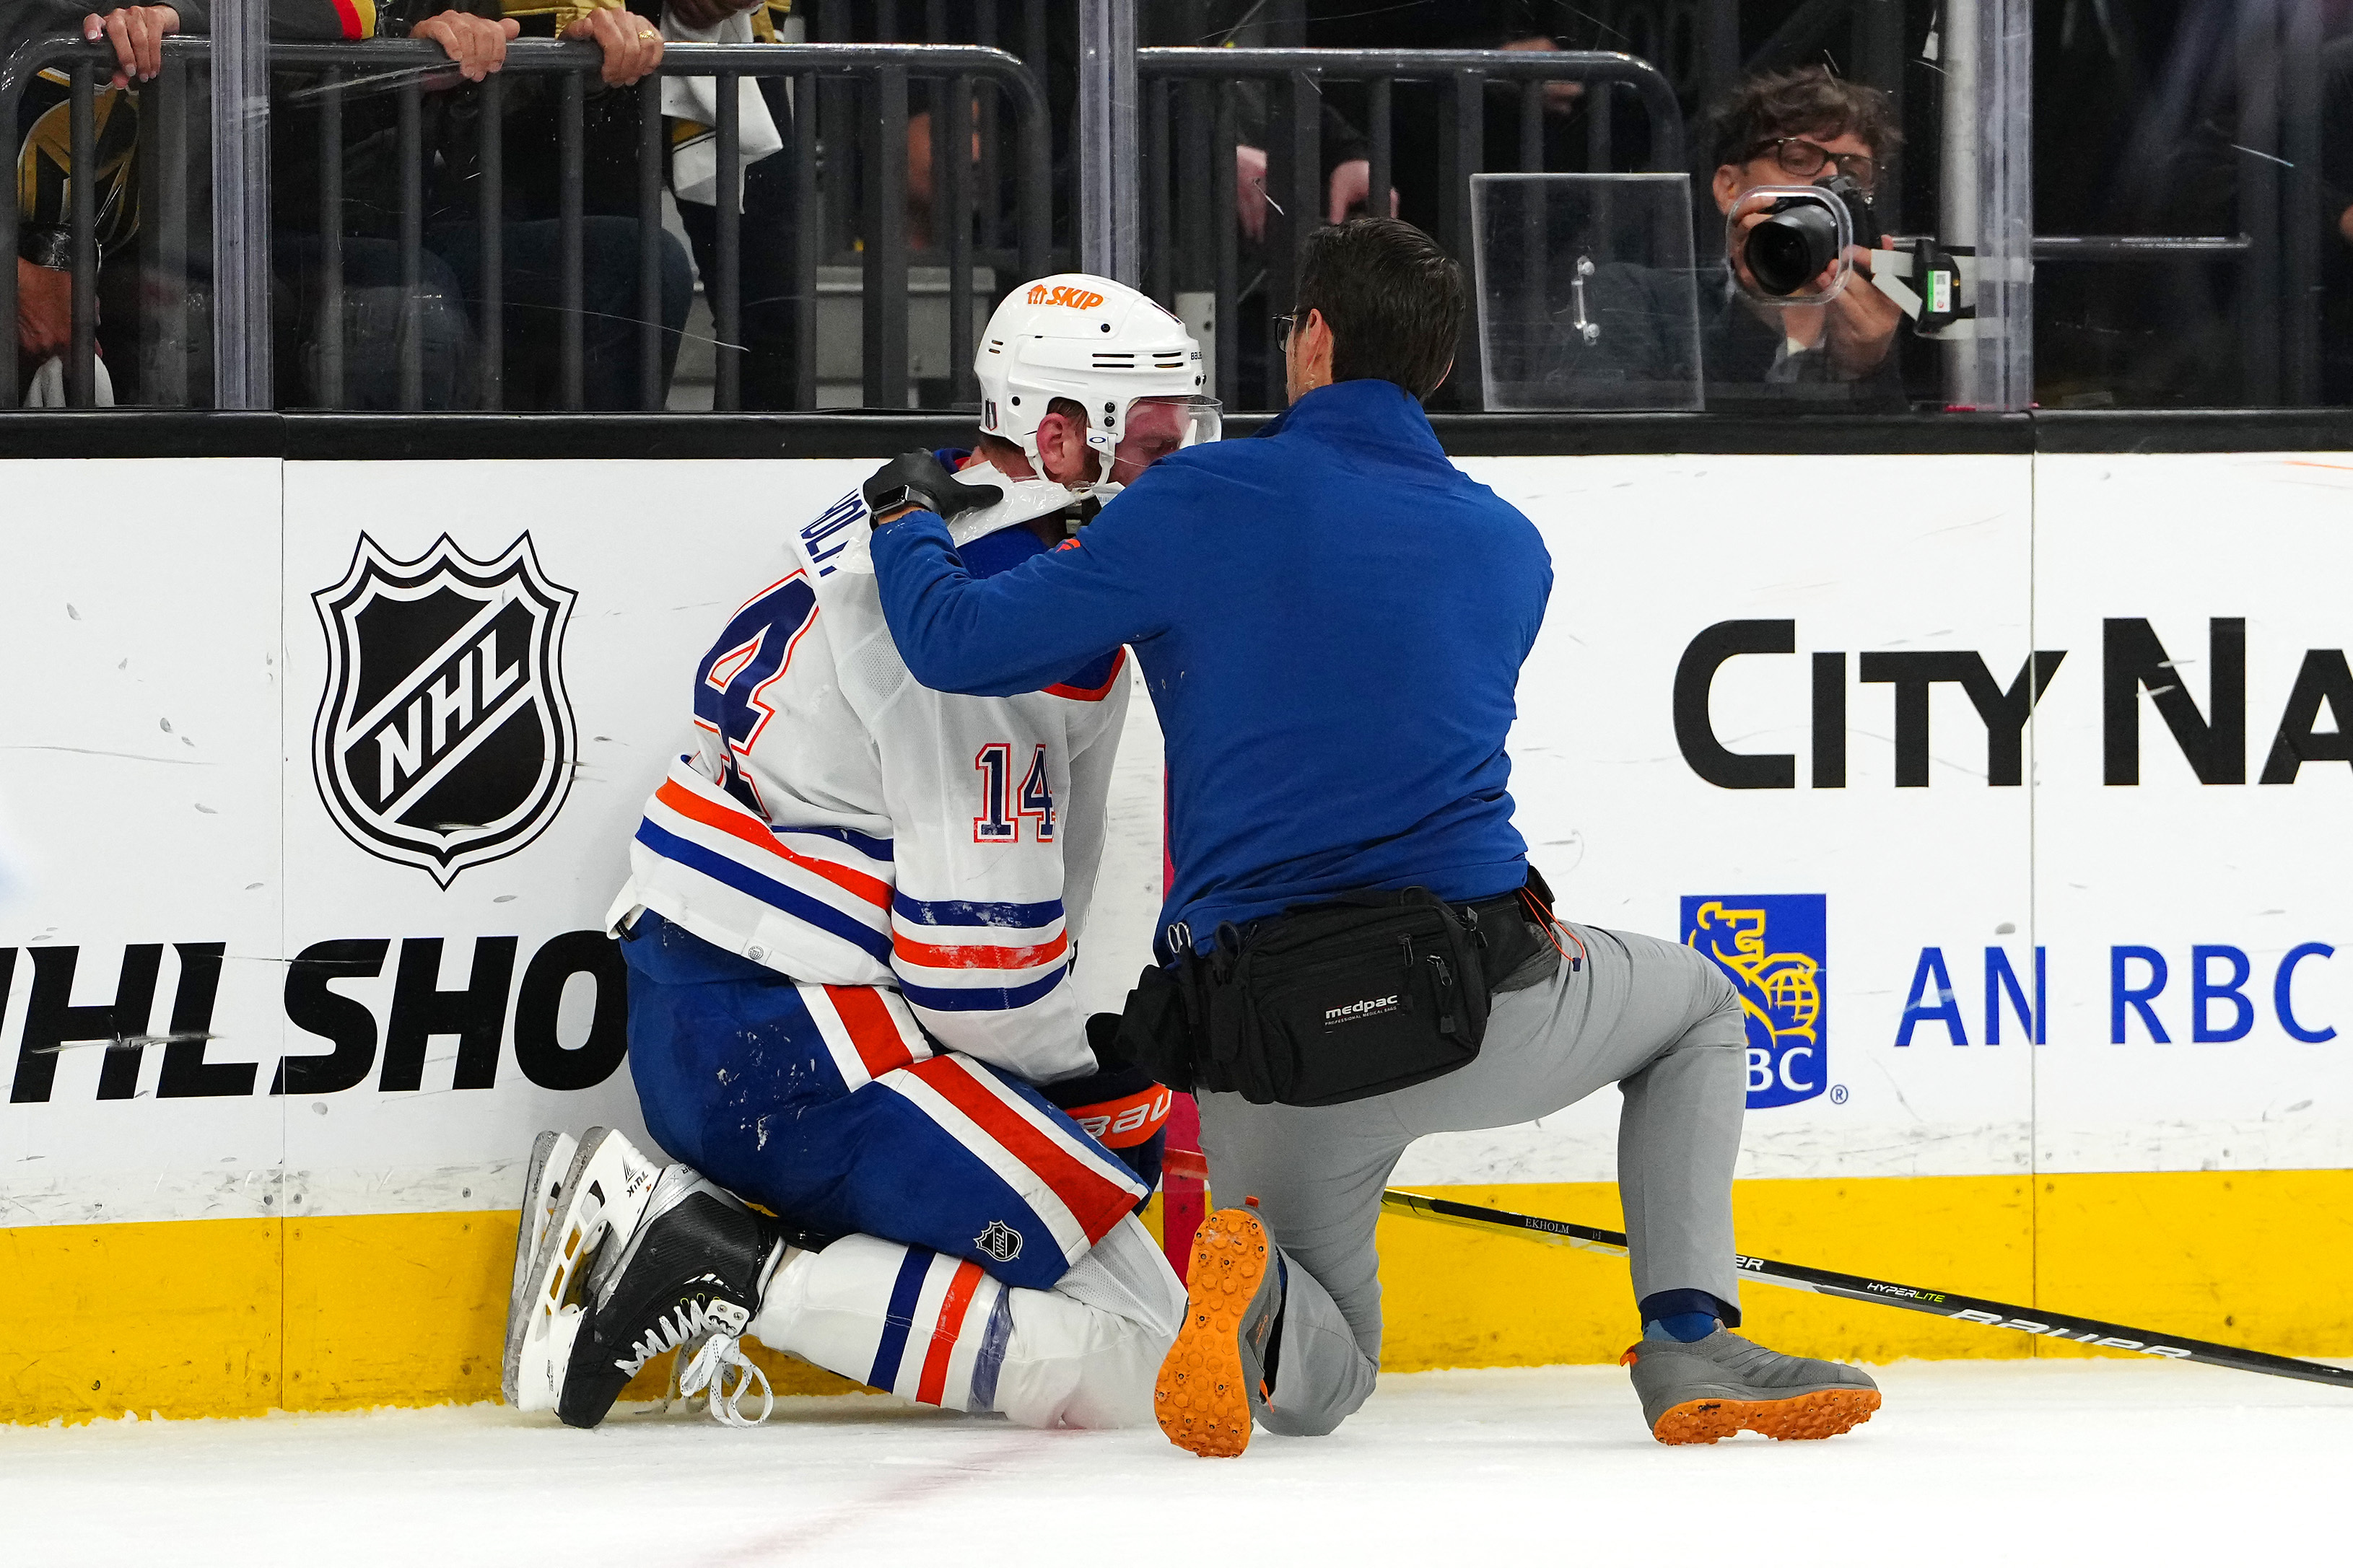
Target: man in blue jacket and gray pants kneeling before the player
(1333,624)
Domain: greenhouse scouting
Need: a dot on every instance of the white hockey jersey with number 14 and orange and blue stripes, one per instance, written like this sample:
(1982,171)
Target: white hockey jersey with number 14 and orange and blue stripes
(841,824)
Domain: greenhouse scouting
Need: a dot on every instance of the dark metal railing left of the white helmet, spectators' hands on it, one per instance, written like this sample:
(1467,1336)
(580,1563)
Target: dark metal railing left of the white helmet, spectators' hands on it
(818,76)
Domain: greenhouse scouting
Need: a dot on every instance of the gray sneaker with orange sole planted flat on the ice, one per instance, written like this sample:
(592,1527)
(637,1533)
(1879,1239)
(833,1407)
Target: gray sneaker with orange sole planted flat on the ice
(1702,1391)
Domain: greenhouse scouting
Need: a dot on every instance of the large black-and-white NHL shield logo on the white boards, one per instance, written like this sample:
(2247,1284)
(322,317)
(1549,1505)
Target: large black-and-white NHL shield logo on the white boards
(444,737)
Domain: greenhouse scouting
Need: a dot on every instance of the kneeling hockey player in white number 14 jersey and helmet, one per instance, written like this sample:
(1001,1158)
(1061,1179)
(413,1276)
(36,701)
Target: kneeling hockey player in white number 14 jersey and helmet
(851,920)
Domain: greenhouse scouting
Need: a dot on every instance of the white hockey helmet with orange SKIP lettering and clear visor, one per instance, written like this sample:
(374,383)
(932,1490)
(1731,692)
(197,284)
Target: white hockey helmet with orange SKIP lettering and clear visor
(1100,344)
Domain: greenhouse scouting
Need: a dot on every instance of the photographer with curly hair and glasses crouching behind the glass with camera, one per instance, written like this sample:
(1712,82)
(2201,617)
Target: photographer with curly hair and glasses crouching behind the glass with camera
(1801,128)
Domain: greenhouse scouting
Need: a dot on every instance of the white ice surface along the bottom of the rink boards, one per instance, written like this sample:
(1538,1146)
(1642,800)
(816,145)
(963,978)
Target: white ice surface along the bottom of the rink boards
(2079,1463)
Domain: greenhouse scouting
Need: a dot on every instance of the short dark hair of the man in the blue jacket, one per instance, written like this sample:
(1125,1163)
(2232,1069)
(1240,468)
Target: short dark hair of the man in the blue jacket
(1392,300)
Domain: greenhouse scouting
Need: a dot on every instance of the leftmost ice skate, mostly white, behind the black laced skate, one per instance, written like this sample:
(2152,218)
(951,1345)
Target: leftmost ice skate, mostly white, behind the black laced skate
(589,1214)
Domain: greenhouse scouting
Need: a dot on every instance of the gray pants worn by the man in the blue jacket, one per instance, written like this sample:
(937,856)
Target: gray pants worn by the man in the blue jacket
(1655,1019)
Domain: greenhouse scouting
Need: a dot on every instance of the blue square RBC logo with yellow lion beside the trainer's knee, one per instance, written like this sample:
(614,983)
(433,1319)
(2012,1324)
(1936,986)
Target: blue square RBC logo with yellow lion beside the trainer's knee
(1775,953)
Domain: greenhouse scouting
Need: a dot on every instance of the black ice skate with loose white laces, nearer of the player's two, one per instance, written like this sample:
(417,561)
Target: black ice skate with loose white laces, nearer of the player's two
(691,1271)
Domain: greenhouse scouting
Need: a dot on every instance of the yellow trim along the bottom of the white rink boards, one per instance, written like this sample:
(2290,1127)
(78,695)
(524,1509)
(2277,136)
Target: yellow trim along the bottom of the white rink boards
(236,1318)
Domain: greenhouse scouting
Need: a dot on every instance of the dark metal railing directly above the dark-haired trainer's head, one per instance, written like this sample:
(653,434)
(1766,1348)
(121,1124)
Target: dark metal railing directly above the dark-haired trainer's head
(1192,128)
